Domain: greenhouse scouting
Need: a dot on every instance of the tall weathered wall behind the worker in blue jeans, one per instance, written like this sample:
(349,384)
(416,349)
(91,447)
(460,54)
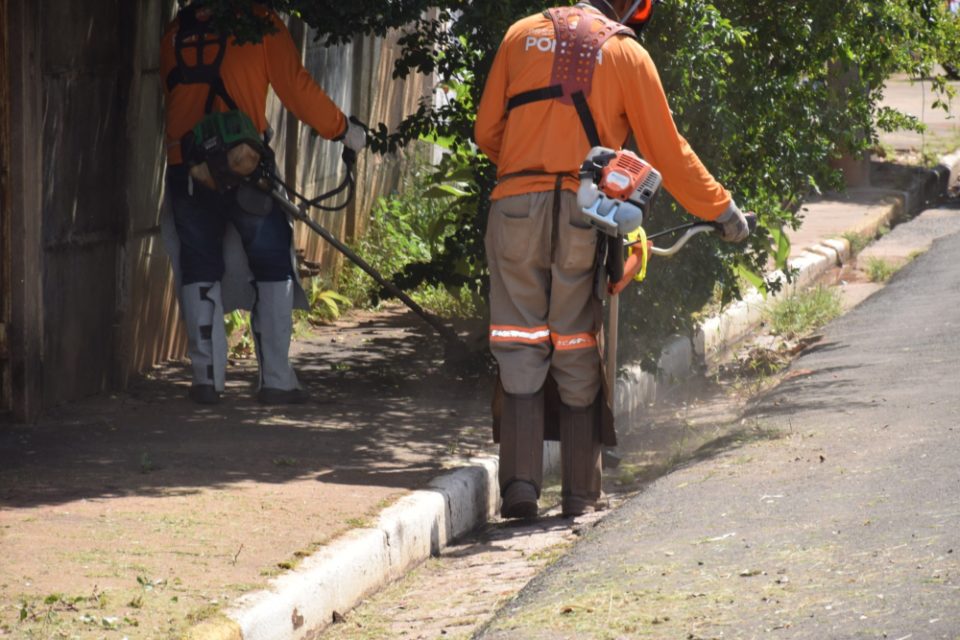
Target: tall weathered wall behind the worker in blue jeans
(91,297)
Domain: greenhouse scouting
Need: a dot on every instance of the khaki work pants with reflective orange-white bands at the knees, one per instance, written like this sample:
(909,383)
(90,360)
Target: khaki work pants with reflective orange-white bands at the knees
(544,316)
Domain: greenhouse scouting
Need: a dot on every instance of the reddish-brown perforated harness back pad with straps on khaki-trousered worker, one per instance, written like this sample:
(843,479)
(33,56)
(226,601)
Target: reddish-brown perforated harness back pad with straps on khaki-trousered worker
(579,36)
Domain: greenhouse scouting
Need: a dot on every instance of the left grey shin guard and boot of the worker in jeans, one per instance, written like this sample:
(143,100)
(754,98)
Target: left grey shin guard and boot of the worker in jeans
(202,309)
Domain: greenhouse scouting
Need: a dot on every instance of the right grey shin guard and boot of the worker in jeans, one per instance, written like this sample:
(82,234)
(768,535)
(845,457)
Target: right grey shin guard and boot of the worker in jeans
(272,323)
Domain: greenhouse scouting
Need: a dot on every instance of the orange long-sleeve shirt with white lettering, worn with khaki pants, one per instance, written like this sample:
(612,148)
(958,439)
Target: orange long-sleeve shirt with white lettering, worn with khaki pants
(547,136)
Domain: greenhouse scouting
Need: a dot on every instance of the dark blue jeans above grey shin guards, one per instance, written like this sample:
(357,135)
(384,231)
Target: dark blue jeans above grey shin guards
(201,221)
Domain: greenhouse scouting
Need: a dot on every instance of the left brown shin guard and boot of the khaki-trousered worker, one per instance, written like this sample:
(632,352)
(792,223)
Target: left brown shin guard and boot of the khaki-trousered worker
(521,454)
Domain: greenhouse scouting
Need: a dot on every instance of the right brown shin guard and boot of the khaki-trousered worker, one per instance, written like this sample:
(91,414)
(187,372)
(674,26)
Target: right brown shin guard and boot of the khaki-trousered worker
(580,459)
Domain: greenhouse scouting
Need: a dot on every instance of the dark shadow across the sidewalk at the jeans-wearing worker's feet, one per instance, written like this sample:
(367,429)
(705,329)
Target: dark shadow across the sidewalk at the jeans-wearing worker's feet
(384,410)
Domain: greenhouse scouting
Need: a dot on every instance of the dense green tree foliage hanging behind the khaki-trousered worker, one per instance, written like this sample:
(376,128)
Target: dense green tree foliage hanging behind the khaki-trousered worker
(767,92)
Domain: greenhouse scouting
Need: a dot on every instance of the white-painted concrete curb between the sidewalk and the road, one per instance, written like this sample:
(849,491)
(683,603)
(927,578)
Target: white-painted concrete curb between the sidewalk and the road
(301,603)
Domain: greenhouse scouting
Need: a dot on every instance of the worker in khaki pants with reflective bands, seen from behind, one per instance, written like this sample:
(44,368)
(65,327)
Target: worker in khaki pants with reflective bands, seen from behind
(563,82)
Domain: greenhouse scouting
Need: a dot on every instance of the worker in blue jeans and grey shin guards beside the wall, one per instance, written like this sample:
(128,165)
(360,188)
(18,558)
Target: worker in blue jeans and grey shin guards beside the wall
(224,256)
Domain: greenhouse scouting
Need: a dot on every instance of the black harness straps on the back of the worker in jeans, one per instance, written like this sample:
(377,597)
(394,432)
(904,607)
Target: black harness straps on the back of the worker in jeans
(199,35)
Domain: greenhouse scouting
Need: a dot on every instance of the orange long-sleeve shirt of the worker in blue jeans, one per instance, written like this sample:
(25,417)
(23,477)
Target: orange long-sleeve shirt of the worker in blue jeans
(247,71)
